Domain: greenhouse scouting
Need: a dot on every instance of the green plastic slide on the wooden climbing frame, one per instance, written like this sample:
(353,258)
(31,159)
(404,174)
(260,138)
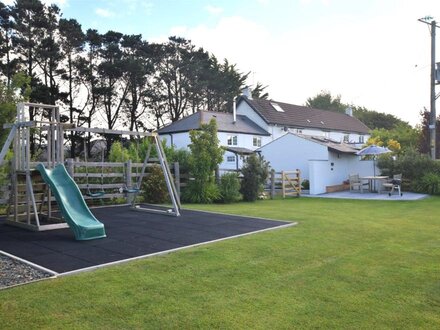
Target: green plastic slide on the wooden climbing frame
(73,207)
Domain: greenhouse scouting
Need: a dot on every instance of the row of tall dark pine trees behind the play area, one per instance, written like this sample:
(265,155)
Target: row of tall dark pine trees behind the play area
(110,79)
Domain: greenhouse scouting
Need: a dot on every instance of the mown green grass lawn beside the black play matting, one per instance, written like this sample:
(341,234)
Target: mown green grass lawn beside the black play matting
(347,264)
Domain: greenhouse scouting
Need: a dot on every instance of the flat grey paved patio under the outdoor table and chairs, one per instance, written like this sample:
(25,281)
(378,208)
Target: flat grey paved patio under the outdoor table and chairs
(407,196)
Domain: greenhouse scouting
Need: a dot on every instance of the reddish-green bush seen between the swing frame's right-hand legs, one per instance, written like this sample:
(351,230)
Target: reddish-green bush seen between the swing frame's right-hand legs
(154,187)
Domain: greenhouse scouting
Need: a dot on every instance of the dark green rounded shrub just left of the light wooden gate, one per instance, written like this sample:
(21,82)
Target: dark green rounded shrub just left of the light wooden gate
(255,172)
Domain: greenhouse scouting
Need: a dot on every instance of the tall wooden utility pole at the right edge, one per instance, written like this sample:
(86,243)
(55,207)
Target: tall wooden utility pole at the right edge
(433,117)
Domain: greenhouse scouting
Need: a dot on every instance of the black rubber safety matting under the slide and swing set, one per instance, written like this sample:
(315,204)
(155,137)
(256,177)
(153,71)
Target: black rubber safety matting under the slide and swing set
(129,234)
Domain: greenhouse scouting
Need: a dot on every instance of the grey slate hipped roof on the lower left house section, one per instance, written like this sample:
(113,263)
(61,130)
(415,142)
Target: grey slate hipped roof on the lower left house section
(225,123)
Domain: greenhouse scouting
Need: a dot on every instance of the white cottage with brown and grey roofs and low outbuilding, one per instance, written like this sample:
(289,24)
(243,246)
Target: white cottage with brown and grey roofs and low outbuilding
(322,144)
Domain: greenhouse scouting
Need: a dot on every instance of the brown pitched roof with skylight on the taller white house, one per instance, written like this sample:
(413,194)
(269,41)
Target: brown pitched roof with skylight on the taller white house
(304,117)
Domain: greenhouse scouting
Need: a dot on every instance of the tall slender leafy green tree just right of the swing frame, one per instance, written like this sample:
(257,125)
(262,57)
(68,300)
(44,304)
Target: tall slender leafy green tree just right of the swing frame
(206,155)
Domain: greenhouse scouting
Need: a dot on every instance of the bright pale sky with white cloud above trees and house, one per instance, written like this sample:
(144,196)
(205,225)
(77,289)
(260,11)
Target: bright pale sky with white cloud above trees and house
(373,53)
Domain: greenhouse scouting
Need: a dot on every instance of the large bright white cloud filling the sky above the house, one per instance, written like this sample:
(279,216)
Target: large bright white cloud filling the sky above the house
(366,59)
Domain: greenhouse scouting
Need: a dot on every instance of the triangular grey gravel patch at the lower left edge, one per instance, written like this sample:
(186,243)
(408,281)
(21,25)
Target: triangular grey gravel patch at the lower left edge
(13,272)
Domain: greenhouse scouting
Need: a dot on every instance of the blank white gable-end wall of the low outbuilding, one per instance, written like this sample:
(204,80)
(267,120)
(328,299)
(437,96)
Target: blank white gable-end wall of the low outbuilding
(291,152)
